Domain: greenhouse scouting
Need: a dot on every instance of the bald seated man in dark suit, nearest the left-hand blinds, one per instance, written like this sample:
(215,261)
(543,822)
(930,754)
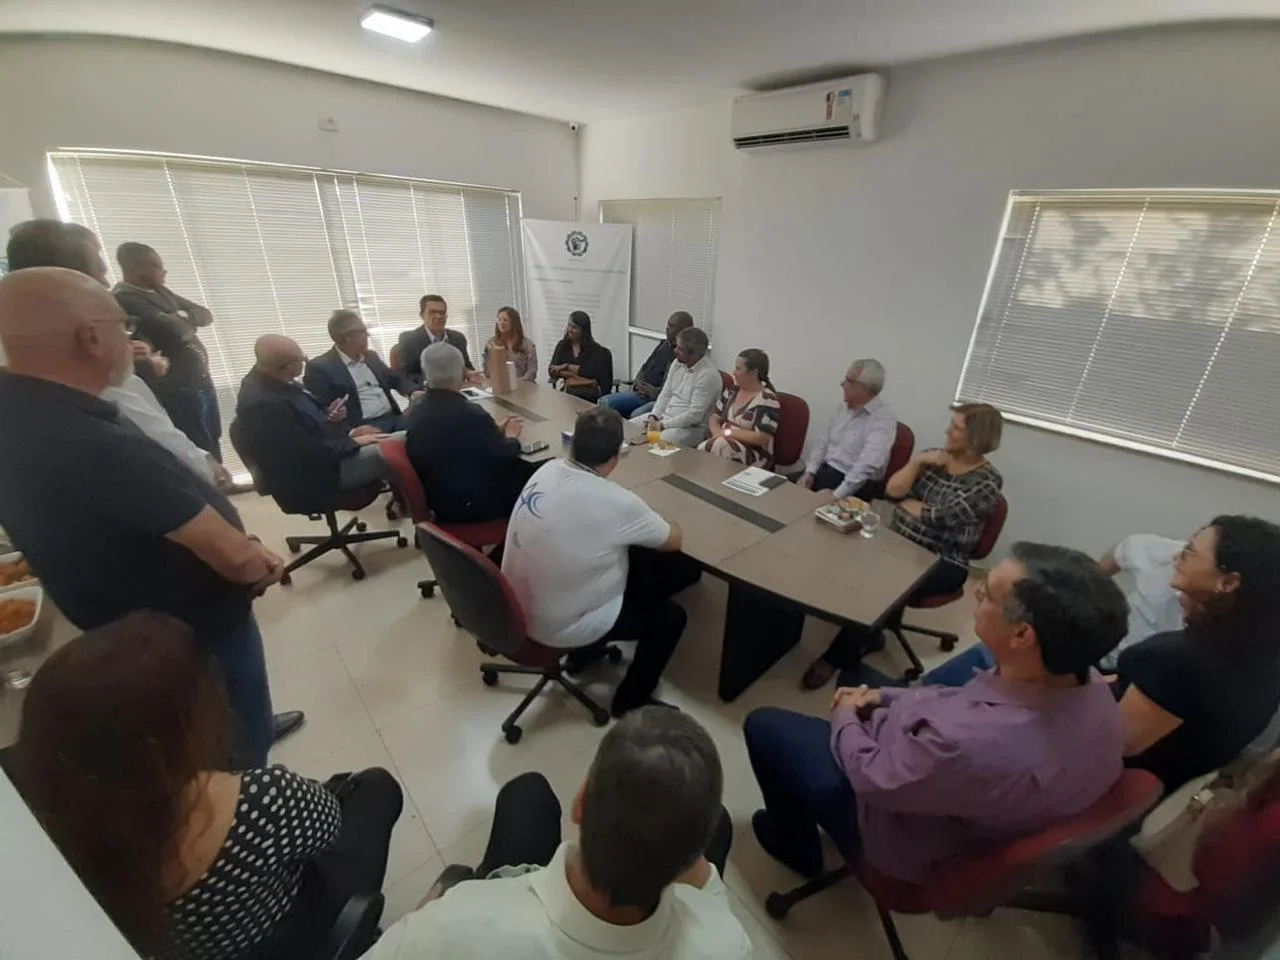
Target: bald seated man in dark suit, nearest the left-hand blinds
(303,454)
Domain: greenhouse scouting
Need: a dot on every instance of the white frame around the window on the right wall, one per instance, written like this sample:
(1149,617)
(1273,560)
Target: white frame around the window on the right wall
(1095,436)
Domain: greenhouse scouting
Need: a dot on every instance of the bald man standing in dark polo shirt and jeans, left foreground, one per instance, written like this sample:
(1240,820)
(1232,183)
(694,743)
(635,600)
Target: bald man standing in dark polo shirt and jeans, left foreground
(111,520)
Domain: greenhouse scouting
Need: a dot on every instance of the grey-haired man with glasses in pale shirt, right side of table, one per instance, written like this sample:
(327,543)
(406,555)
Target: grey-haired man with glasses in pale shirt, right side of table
(852,456)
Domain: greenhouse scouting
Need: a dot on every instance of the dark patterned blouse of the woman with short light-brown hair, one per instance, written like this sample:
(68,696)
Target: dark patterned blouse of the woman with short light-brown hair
(956,509)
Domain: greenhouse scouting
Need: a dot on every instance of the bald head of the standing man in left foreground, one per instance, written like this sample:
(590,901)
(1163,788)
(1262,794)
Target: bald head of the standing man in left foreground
(63,326)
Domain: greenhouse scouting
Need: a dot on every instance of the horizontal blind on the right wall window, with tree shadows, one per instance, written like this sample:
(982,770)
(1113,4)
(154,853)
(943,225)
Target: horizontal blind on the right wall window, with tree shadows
(1145,319)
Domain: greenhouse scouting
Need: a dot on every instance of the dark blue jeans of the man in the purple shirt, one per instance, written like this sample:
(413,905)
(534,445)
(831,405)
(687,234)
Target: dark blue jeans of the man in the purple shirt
(803,785)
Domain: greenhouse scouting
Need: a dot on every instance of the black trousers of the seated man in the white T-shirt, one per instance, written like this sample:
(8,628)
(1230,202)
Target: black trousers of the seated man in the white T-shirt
(650,618)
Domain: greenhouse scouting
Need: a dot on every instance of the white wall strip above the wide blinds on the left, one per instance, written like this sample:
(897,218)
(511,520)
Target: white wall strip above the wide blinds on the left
(134,95)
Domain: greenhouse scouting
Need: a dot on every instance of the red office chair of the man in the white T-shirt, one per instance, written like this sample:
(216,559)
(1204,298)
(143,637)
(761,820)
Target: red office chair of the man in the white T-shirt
(484,605)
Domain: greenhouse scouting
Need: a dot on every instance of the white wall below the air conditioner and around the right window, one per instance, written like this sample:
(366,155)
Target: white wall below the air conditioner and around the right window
(835,253)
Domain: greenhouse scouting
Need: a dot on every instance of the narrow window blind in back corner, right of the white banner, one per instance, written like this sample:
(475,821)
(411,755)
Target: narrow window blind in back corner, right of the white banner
(674,258)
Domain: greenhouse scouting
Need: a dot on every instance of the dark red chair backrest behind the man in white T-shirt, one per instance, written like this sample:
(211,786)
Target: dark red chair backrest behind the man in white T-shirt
(477,592)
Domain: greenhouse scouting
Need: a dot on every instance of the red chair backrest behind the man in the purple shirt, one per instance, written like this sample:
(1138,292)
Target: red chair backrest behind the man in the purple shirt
(991,879)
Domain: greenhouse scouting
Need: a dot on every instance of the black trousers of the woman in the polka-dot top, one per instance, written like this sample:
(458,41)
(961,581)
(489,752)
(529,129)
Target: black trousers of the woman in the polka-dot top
(356,863)
